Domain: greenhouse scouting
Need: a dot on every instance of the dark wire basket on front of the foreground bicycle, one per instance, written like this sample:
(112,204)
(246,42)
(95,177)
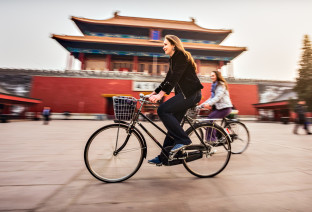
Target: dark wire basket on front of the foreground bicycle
(124,107)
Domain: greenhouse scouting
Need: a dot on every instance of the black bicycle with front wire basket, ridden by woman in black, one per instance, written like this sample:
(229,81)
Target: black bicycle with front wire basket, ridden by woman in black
(115,152)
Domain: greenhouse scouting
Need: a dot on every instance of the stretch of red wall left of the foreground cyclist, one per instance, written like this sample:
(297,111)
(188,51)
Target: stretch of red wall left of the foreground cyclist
(77,95)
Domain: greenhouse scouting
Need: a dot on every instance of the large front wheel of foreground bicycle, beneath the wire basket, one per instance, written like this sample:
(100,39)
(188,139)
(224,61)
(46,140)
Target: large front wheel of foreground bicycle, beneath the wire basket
(99,155)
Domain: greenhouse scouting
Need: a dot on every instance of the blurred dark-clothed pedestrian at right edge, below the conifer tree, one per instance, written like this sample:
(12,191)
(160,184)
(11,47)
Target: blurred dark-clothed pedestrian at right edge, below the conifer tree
(301,120)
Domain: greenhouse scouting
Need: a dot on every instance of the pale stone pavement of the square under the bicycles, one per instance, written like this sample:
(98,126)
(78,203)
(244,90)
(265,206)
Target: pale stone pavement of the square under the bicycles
(42,169)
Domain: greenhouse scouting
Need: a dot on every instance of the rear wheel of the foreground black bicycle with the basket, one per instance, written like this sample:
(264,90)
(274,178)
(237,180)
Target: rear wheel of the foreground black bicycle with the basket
(215,156)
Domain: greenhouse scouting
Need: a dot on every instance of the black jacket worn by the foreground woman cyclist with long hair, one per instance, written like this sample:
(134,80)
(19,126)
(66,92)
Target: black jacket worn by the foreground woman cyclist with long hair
(181,76)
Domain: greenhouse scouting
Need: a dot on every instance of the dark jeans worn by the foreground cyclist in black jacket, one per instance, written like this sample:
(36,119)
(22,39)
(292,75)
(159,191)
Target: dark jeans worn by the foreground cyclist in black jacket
(171,114)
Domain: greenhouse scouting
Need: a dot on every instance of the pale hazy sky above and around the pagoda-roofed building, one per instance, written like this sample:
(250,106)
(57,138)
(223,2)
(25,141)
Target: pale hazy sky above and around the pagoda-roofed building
(272,30)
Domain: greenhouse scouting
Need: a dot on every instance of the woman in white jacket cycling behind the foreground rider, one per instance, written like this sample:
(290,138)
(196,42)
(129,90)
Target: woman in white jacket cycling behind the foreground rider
(219,102)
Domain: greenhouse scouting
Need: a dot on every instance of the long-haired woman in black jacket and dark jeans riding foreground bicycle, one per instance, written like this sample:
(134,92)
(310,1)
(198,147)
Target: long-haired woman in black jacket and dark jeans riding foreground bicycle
(182,77)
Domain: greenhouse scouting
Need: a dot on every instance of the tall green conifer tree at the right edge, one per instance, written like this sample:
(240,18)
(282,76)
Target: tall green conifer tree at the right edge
(303,86)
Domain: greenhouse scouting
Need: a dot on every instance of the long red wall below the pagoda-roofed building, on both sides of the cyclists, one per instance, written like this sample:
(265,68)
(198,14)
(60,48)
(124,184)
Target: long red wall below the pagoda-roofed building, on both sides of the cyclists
(83,95)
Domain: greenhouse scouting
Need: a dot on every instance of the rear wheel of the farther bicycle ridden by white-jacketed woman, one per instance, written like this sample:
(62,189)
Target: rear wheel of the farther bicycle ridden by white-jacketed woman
(239,136)
